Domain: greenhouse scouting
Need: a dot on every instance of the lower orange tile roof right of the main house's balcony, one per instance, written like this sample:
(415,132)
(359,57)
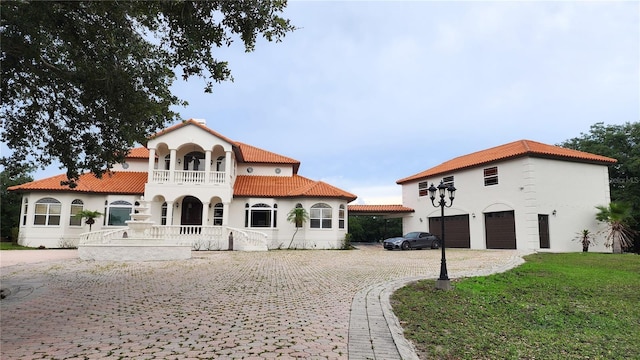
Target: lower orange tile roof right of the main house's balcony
(285,186)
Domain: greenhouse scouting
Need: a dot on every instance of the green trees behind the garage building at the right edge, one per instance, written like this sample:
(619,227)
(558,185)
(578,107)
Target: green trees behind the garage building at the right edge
(621,142)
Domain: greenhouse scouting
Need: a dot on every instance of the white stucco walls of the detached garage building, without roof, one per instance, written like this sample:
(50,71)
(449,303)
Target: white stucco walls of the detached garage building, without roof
(528,186)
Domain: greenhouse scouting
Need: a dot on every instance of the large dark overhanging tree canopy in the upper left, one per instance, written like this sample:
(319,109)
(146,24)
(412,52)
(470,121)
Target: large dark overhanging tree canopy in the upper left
(83,82)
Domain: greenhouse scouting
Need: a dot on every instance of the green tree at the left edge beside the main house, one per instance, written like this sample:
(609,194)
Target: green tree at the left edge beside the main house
(11,201)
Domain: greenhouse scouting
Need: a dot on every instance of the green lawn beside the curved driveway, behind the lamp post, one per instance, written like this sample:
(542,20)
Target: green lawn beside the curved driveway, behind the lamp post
(555,306)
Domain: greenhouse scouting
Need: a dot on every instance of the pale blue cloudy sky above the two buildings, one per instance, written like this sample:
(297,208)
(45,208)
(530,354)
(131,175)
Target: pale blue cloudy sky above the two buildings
(367,92)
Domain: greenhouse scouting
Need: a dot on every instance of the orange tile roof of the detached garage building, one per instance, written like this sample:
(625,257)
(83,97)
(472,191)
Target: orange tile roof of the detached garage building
(511,150)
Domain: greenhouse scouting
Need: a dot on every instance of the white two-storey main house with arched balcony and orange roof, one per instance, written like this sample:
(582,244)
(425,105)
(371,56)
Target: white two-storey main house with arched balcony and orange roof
(196,184)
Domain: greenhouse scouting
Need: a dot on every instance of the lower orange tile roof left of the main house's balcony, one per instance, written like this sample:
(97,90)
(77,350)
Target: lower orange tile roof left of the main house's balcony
(123,182)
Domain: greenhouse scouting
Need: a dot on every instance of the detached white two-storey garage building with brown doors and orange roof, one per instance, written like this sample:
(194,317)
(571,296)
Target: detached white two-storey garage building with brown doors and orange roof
(522,195)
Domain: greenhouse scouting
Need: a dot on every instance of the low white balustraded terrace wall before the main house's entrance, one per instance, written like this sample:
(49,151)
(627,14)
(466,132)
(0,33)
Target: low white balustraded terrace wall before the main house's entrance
(198,237)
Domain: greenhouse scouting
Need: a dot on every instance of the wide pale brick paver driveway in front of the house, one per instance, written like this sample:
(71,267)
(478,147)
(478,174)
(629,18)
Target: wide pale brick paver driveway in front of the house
(291,304)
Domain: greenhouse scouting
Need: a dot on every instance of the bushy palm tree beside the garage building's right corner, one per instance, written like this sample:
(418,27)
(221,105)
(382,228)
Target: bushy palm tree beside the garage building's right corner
(617,216)
